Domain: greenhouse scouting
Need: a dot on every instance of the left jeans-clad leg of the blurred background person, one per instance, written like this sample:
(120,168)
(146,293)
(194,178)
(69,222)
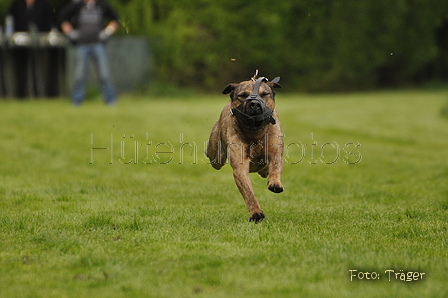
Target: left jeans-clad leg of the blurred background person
(80,75)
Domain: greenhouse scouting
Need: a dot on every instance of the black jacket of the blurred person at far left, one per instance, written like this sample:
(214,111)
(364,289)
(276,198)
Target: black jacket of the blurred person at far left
(40,14)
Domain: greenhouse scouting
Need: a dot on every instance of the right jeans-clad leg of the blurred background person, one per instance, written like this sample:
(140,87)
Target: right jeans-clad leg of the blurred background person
(102,69)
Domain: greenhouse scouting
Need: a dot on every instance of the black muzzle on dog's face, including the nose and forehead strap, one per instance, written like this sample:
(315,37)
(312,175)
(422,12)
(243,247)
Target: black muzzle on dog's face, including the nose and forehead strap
(258,114)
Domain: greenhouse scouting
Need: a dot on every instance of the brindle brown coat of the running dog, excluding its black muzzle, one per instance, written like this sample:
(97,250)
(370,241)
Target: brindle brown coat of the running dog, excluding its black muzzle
(248,150)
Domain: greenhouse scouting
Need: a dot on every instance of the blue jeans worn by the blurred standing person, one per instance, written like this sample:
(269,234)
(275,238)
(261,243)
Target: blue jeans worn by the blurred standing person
(96,51)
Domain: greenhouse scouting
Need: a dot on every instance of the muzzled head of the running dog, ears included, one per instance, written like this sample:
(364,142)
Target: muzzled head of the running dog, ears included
(253,101)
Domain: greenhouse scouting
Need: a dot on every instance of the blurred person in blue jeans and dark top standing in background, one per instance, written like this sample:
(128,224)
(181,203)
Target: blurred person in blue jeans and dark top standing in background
(84,22)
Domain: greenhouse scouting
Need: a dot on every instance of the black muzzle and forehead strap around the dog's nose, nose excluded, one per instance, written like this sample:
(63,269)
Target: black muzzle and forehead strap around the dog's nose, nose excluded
(256,121)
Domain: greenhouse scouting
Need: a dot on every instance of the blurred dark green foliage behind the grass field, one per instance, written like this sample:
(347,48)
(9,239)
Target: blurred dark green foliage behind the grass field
(319,45)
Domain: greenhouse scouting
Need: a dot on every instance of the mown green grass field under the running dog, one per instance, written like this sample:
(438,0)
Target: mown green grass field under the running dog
(366,189)
